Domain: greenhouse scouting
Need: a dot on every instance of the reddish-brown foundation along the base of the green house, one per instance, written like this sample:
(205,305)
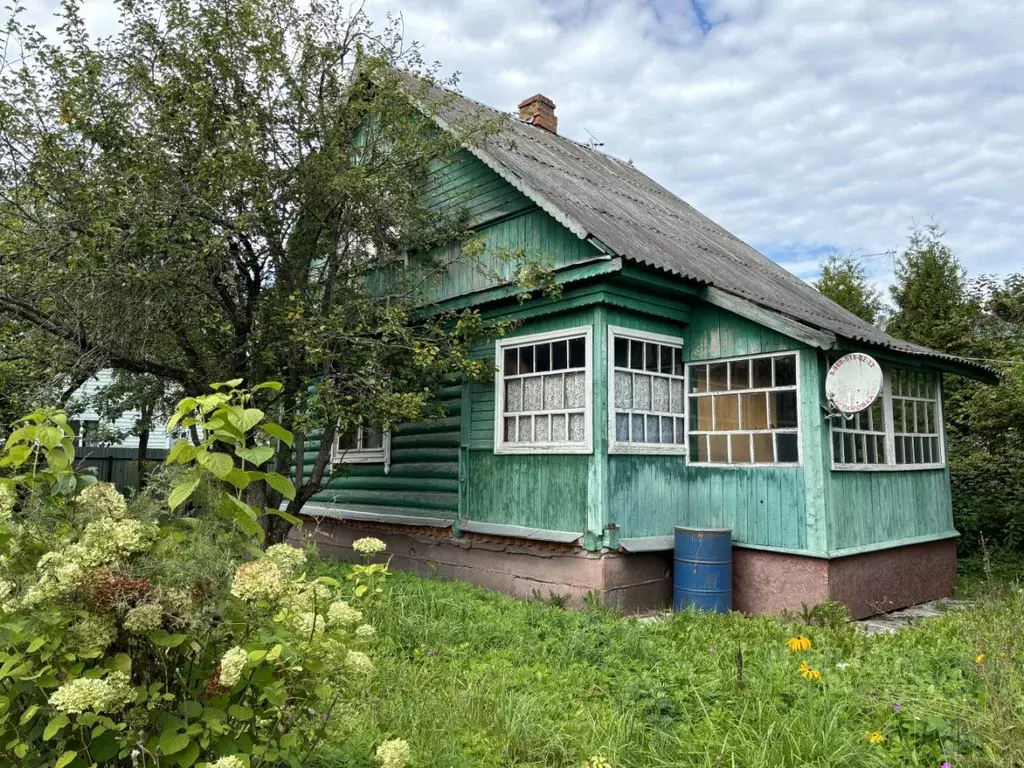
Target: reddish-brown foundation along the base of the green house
(763,582)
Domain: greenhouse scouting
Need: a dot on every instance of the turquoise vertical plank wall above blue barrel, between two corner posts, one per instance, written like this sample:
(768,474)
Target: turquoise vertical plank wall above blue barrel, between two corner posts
(650,495)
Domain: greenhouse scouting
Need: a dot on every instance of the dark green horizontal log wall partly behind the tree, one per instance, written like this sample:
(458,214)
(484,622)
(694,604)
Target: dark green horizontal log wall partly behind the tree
(424,476)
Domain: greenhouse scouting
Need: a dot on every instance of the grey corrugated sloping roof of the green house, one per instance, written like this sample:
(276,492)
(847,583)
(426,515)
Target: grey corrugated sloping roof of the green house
(598,196)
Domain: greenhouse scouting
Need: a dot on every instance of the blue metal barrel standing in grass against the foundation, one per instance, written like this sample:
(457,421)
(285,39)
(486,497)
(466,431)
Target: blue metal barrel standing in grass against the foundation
(703,574)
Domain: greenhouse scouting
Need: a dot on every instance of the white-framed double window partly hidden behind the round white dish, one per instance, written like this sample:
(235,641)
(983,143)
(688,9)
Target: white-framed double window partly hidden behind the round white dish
(903,430)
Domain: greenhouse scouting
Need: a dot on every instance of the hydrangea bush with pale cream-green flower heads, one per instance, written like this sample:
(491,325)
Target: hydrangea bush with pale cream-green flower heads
(132,634)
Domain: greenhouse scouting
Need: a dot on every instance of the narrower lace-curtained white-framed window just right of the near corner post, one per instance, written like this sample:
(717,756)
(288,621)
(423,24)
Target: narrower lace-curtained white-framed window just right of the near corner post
(647,394)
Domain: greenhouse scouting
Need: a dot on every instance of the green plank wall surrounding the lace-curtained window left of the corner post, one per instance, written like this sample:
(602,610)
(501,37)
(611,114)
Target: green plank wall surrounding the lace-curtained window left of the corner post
(550,492)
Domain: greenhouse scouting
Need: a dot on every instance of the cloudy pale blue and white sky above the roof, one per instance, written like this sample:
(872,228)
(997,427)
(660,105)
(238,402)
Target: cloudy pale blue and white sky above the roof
(802,126)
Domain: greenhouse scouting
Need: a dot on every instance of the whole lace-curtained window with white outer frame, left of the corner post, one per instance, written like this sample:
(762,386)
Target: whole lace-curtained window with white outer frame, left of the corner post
(543,394)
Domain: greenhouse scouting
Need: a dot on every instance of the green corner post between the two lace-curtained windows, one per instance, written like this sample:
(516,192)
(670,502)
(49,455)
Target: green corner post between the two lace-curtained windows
(598,479)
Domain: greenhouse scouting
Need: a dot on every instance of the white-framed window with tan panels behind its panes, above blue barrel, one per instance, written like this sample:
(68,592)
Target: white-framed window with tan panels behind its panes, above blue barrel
(745,411)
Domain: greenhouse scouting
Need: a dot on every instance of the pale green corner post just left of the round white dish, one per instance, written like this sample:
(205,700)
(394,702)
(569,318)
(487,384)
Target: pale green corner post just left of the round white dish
(815,430)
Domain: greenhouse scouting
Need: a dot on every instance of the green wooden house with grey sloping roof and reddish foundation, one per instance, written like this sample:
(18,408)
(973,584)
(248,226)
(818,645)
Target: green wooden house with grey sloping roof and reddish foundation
(677,380)
